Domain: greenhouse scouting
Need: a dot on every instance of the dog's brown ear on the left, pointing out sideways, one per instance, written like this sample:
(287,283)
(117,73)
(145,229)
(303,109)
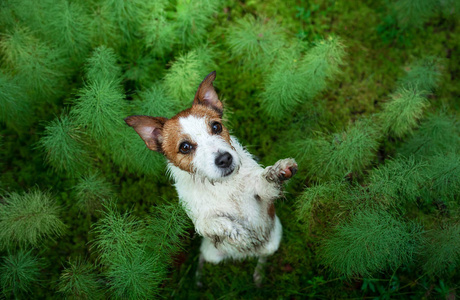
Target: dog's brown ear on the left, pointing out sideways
(150,129)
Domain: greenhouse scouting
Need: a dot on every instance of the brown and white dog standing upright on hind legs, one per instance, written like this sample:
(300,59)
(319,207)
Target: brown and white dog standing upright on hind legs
(228,196)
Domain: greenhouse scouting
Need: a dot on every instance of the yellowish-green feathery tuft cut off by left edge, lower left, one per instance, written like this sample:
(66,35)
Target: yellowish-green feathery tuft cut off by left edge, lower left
(28,218)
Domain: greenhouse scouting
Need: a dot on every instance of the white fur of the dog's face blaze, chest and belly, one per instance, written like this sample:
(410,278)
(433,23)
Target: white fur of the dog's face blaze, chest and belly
(228,210)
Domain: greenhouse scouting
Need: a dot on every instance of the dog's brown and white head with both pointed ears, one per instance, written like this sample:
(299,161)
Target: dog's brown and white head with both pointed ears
(195,140)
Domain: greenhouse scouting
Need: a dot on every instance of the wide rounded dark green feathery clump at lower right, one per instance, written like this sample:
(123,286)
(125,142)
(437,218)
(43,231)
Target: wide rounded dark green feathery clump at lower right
(371,241)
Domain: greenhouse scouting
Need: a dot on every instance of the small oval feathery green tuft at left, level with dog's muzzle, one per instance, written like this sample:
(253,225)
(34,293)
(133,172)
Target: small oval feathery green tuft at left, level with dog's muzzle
(64,146)
